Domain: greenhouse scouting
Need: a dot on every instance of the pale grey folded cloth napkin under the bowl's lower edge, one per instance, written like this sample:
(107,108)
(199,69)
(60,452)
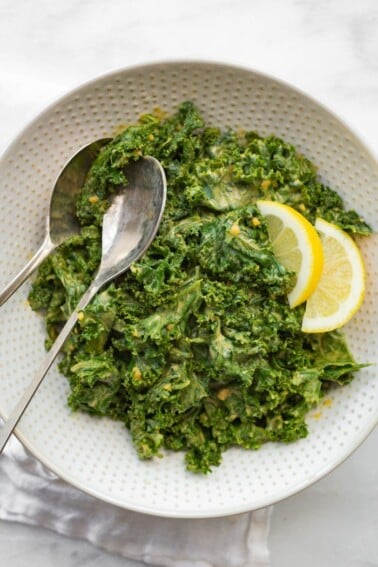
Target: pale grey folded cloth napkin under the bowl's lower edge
(31,494)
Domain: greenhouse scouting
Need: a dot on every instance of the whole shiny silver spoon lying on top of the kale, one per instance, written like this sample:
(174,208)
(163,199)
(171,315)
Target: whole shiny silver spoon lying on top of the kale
(129,227)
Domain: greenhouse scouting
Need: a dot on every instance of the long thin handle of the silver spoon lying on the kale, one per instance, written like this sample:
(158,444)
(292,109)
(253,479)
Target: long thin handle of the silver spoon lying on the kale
(15,416)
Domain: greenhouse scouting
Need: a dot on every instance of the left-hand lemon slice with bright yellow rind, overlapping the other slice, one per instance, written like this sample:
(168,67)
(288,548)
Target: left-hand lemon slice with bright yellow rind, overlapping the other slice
(296,245)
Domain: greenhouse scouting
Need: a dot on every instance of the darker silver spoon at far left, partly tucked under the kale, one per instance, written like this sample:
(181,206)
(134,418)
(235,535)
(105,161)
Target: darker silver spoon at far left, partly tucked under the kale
(61,222)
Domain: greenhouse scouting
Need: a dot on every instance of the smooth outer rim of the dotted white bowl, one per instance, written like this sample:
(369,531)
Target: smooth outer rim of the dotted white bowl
(321,472)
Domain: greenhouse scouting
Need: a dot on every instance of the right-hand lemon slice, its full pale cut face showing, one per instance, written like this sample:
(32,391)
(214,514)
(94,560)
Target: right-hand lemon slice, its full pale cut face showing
(341,288)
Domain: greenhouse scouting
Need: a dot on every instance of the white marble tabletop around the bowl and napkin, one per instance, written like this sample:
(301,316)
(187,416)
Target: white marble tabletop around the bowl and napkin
(329,48)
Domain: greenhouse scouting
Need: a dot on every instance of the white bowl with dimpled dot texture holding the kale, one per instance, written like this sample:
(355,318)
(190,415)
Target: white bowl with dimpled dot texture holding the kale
(96,454)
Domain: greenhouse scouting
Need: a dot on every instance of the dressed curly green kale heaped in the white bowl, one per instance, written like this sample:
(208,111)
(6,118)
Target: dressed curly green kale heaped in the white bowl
(195,348)
